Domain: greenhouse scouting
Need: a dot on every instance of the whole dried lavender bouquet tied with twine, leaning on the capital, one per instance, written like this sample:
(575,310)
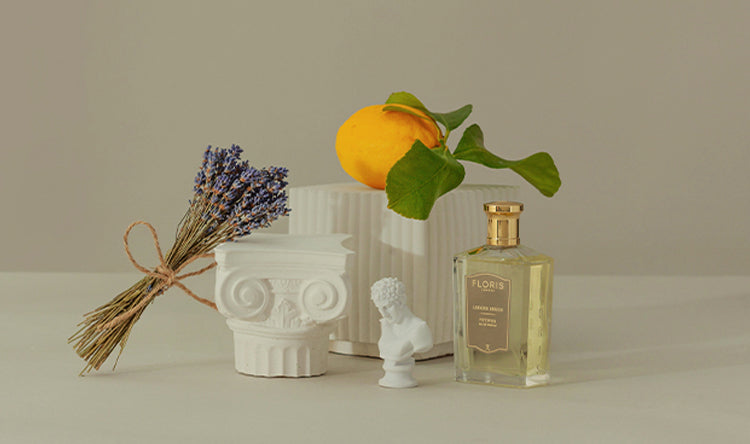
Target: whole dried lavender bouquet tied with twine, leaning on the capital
(231,199)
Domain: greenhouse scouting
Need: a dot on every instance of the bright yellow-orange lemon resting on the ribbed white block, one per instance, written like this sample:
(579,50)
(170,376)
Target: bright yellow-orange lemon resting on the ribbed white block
(372,140)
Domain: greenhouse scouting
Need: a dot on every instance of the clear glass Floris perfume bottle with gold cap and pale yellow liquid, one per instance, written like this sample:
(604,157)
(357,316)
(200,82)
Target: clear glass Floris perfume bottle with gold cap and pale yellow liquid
(503,302)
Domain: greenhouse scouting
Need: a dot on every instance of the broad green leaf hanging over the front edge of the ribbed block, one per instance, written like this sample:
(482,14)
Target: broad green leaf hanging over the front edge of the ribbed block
(419,178)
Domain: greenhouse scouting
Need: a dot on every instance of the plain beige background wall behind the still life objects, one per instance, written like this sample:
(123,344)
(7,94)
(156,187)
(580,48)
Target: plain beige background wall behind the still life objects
(645,106)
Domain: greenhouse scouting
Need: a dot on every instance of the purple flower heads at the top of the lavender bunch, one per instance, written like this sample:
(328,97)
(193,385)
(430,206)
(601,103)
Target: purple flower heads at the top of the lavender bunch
(238,198)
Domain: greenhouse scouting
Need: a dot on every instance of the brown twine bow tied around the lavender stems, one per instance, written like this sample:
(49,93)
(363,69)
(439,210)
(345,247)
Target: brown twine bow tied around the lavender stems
(163,272)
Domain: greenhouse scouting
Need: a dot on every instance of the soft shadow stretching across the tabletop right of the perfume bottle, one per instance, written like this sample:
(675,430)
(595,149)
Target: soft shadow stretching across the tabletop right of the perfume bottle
(623,342)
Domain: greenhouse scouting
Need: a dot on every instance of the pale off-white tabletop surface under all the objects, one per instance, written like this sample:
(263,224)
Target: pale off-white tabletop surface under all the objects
(634,359)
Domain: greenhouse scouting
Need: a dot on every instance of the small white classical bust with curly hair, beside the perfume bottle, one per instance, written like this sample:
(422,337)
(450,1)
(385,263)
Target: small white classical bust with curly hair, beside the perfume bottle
(401,333)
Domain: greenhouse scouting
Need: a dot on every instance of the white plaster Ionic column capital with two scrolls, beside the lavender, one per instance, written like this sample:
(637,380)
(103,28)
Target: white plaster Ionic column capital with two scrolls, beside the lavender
(282,295)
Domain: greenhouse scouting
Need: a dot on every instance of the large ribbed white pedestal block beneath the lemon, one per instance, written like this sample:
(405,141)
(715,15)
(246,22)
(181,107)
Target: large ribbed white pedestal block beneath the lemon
(419,253)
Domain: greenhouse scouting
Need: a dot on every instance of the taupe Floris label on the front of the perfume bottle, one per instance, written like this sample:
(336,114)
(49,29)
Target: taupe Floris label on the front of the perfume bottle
(487,312)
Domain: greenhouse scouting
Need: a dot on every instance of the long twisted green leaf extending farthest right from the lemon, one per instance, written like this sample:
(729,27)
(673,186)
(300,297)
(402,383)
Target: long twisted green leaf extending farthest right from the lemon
(538,169)
